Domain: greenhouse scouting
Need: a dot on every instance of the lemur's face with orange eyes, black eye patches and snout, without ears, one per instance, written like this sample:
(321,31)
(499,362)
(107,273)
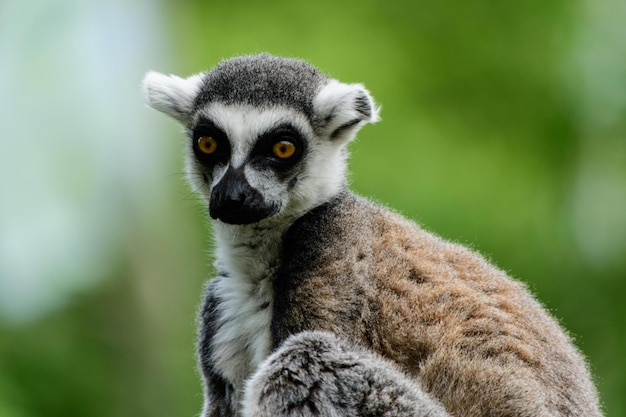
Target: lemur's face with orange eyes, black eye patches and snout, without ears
(250,163)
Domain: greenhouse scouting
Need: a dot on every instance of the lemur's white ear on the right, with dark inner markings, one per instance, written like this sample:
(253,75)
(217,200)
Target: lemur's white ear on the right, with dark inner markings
(342,109)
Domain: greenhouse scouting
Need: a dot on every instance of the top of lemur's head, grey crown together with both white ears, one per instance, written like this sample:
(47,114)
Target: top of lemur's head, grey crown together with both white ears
(261,81)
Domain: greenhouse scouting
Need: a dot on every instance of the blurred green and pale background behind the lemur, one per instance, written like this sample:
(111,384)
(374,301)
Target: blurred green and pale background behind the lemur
(504,128)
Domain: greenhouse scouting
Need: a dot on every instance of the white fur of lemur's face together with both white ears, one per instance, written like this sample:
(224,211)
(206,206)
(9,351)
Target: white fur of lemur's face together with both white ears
(340,110)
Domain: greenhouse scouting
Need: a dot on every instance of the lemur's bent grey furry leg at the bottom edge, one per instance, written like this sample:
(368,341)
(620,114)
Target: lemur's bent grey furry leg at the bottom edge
(317,374)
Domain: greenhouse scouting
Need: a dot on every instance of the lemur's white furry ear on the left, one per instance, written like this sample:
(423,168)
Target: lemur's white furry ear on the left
(172,95)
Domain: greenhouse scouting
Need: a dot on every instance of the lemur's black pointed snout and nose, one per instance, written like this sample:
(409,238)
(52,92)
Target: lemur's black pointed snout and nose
(235,201)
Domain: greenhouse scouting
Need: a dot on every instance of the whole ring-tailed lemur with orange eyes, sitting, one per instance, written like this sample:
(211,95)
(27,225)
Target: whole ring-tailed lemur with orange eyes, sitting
(326,304)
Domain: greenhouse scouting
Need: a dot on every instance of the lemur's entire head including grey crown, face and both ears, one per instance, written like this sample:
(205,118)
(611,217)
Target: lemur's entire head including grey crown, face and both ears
(266,135)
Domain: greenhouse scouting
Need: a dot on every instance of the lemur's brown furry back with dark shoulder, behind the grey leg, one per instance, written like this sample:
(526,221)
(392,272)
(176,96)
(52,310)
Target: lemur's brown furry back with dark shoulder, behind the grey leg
(471,336)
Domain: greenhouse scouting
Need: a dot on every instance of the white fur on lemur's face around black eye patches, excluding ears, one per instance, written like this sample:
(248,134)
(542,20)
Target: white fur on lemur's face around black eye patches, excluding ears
(323,174)
